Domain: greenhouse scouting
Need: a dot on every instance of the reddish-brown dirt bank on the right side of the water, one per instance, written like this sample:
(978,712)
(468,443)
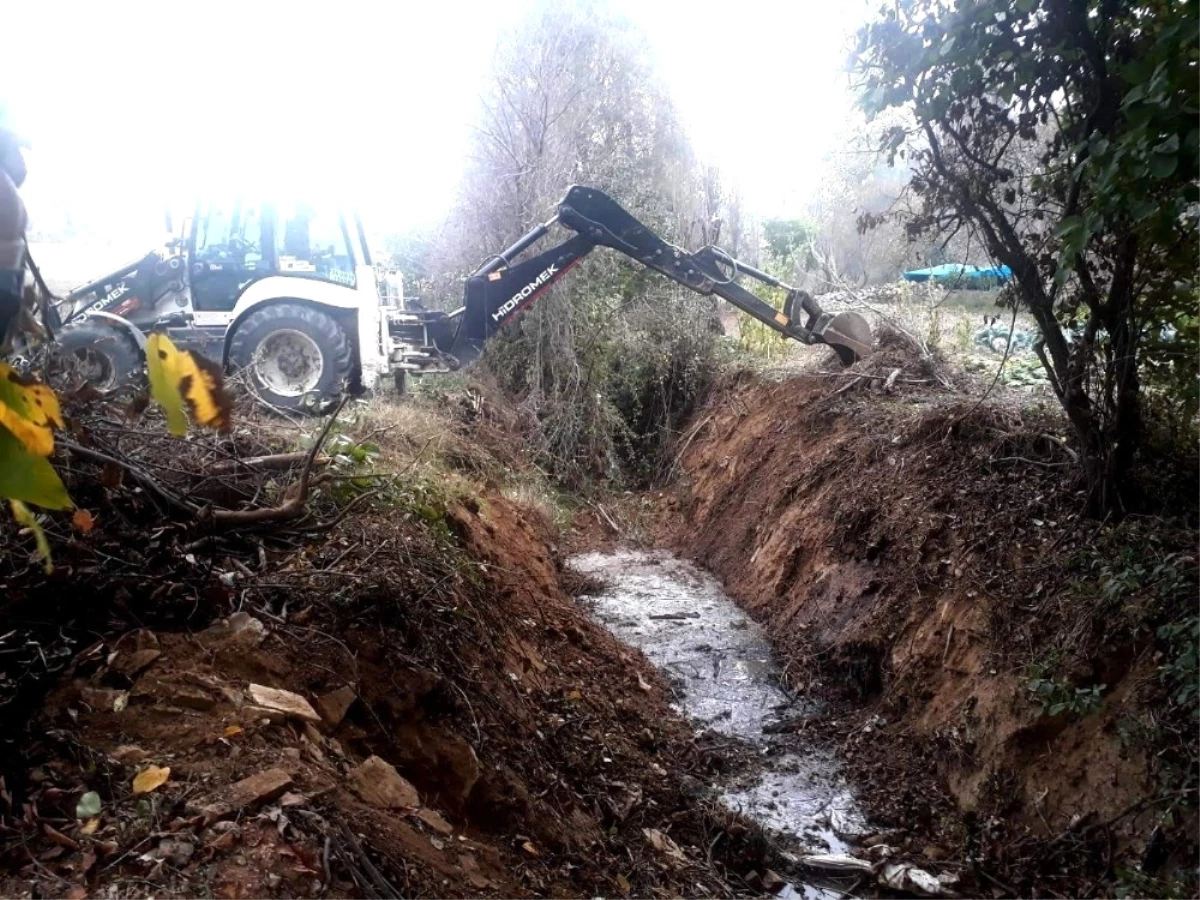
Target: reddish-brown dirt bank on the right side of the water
(923,561)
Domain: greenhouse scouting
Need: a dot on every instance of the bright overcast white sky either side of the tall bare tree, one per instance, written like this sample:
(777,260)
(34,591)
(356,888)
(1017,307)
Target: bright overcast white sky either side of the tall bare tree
(130,103)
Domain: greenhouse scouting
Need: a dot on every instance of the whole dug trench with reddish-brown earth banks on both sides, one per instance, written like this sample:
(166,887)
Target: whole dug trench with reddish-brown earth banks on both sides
(425,701)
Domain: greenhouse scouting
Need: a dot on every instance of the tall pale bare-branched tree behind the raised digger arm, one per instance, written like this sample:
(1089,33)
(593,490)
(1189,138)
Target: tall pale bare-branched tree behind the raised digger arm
(573,99)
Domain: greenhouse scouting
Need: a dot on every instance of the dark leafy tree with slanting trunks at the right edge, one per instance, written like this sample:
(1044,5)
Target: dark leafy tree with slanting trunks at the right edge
(1066,134)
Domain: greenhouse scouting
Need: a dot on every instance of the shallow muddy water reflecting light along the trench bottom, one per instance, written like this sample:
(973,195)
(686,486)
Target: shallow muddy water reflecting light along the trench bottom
(727,680)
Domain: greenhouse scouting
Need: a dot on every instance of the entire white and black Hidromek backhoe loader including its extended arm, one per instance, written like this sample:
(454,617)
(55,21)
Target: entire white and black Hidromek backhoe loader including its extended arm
(292,296)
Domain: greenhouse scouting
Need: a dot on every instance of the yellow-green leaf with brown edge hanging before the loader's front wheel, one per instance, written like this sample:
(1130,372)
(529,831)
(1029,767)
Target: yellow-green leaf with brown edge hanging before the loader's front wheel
(182,379)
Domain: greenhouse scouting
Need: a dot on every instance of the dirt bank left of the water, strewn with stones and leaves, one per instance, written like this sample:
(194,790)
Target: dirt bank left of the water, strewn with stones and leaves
(412,707)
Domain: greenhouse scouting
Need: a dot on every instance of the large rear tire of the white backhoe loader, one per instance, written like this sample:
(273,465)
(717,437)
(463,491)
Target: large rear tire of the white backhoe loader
(296,357)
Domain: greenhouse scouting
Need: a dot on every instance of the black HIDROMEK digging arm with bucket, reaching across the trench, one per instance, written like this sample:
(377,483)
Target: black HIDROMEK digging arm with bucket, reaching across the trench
(501,289)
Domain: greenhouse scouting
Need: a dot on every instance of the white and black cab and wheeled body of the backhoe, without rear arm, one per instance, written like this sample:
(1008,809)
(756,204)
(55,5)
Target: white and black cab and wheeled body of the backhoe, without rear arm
(286,292)
